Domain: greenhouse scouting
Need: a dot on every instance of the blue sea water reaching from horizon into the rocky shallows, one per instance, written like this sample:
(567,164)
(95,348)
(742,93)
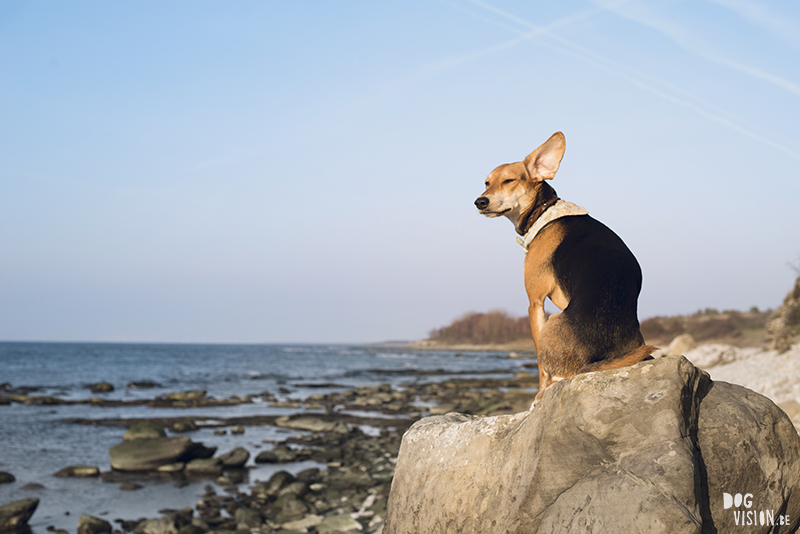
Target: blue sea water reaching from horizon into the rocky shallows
(38,441)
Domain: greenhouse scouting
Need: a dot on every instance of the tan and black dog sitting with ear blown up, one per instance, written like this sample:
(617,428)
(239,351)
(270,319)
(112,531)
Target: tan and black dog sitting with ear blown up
(585,269)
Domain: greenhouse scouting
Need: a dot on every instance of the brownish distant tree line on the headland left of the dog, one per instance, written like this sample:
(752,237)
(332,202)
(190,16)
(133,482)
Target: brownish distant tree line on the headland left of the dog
(483,328)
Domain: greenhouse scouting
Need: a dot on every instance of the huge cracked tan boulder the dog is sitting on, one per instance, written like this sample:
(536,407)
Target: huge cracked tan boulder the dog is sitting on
(655,447)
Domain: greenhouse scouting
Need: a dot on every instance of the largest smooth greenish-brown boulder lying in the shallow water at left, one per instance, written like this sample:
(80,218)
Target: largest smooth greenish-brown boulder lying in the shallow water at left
(147,454)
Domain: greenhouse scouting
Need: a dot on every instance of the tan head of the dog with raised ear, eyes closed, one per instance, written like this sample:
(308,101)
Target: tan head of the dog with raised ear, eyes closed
(514,190)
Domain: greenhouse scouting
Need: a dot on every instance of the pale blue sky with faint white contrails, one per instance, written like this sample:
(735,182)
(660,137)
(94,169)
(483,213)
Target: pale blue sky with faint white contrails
(305,172)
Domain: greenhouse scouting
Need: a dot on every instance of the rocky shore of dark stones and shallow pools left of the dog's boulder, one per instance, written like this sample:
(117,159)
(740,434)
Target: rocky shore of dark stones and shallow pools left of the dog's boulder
(255,462)
